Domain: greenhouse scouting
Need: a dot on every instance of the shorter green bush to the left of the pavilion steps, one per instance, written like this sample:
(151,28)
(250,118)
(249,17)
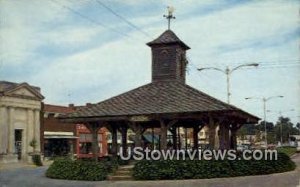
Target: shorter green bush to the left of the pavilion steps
(63,168)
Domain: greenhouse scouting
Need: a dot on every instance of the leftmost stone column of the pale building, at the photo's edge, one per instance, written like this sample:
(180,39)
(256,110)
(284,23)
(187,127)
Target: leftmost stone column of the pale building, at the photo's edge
(3,129)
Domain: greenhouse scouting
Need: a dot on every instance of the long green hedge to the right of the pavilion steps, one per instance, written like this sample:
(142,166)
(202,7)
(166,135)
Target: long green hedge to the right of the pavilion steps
(200,169)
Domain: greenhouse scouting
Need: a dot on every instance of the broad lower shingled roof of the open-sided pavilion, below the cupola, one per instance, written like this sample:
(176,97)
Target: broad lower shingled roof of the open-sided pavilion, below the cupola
(155,98)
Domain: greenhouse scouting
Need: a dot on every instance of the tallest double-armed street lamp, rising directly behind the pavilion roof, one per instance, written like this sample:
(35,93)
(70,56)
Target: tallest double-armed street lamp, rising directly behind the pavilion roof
(228,72)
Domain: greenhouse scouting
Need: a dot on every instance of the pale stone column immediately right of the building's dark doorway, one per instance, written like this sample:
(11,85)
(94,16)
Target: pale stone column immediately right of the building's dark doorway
(30,130)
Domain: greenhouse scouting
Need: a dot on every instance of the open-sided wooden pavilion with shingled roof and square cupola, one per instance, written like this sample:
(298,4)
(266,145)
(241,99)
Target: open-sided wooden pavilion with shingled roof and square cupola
(166,103)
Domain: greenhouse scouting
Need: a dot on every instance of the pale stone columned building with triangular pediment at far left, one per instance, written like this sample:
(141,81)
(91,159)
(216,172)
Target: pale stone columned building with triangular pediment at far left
(20,108)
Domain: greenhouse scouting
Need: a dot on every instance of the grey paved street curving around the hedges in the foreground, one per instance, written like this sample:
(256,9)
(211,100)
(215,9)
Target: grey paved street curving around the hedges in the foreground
(31,176)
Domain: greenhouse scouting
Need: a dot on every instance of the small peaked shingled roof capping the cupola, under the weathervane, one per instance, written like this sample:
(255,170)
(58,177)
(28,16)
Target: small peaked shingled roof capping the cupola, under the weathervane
(168,37)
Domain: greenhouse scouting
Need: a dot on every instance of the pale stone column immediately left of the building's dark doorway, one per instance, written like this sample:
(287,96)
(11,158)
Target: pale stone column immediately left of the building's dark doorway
(11,132)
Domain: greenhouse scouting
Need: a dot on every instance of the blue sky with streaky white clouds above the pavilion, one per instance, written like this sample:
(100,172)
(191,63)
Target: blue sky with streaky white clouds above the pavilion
(90,50)
